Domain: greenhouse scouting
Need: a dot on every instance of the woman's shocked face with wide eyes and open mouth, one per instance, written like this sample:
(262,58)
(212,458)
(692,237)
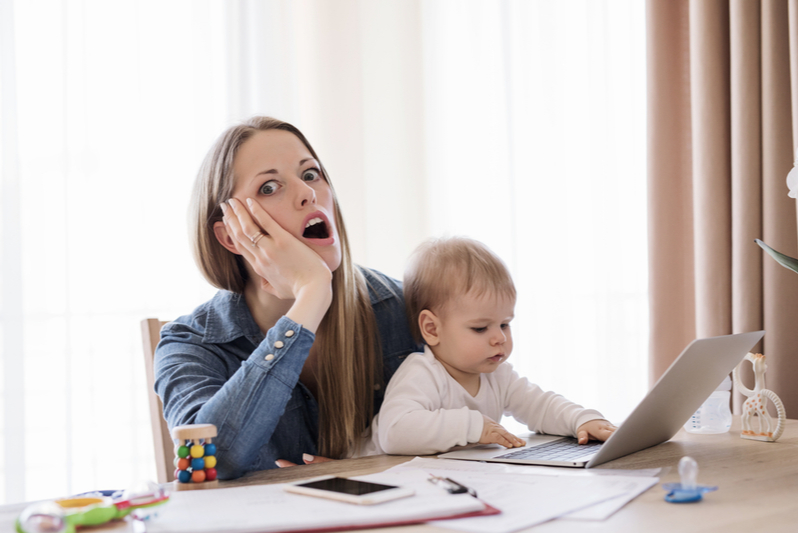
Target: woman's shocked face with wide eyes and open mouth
(275,169)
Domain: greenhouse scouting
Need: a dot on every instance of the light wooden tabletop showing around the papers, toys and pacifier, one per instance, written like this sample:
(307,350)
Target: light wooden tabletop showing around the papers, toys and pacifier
(757,487)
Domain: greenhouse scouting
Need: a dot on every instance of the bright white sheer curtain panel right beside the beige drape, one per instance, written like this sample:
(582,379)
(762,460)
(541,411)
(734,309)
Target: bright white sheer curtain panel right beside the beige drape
(535,145)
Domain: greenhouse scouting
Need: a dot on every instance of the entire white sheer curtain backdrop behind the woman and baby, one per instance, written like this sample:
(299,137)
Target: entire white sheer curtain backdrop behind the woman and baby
(518,123)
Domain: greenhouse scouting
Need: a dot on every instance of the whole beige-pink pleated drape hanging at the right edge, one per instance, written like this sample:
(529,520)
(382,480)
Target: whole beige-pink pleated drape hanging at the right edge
(720,144)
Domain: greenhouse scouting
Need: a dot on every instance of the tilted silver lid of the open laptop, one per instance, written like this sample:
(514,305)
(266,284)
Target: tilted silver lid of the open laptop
(691,378)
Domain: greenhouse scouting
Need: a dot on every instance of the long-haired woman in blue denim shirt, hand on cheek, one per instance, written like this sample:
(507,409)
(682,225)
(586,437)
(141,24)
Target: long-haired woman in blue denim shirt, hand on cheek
(293,354)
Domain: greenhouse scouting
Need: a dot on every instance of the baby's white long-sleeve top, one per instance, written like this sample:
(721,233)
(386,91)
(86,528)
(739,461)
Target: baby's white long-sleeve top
(426,411)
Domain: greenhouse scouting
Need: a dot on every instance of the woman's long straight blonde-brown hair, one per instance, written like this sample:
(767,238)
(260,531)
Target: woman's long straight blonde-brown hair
(346,344)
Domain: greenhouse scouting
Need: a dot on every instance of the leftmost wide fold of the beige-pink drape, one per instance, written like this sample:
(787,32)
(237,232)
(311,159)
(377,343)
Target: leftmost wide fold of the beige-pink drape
(669,170)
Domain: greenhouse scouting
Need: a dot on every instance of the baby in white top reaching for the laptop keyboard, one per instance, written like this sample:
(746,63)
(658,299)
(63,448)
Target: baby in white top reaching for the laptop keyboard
(460,299)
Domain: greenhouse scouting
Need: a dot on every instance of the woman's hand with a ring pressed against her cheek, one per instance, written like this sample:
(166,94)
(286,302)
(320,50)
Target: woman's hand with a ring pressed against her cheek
(286,264)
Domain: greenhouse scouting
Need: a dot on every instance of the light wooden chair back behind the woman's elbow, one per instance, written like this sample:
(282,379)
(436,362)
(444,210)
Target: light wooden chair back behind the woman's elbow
(162,441)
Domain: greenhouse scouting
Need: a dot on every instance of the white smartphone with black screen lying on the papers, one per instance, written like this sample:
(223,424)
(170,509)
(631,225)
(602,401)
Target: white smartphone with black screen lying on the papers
(349,490)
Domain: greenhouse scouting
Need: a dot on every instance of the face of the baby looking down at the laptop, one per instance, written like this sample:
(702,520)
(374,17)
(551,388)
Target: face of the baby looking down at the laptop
(474,333)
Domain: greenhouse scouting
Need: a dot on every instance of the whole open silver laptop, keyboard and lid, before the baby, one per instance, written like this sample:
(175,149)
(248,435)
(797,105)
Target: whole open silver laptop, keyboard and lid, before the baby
(686,384)
